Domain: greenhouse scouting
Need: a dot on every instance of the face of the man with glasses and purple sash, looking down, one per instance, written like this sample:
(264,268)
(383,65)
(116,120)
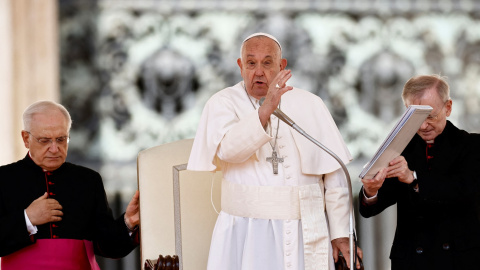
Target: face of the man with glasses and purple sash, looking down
(47,141)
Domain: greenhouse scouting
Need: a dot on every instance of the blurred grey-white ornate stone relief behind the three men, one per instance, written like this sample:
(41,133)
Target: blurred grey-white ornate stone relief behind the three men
(138,76)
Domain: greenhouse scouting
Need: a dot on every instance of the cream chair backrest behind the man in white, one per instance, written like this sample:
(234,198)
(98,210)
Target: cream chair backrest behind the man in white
(176,214)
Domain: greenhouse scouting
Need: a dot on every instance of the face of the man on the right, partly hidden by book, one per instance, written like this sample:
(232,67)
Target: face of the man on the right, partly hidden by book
(437,120)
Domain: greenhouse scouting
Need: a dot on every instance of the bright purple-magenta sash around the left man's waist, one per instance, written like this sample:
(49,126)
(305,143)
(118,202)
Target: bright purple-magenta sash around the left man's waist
(53,254)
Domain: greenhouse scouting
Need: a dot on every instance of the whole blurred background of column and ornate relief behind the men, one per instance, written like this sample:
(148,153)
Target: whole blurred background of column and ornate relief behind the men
(136,74)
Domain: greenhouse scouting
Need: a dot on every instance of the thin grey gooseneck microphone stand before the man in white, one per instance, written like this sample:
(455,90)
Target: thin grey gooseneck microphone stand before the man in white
(289,122)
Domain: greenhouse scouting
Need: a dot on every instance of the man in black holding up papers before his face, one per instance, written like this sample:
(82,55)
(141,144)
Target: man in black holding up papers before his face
(434,183)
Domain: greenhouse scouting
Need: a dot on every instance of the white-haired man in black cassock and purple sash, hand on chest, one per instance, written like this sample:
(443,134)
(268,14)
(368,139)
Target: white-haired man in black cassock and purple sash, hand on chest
(54,214)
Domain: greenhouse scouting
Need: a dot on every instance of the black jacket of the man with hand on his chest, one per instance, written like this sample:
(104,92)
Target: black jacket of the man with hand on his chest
(80,191)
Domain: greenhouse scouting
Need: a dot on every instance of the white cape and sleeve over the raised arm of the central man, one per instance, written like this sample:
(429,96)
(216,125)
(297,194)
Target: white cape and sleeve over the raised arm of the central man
(224,135)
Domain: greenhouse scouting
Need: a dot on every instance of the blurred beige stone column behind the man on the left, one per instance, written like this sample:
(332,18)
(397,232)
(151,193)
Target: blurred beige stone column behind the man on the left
(29,65)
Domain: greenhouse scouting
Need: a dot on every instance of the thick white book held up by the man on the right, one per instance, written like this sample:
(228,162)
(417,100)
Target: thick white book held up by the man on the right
(397,140)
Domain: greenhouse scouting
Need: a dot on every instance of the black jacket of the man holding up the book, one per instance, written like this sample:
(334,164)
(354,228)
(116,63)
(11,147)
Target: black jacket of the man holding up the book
(437,227)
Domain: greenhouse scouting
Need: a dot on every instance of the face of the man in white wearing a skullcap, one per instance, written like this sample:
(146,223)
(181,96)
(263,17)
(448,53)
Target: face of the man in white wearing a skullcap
(260,63)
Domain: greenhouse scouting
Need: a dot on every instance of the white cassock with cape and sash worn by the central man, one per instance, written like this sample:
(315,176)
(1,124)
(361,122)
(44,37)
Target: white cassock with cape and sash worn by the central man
(273,221)
